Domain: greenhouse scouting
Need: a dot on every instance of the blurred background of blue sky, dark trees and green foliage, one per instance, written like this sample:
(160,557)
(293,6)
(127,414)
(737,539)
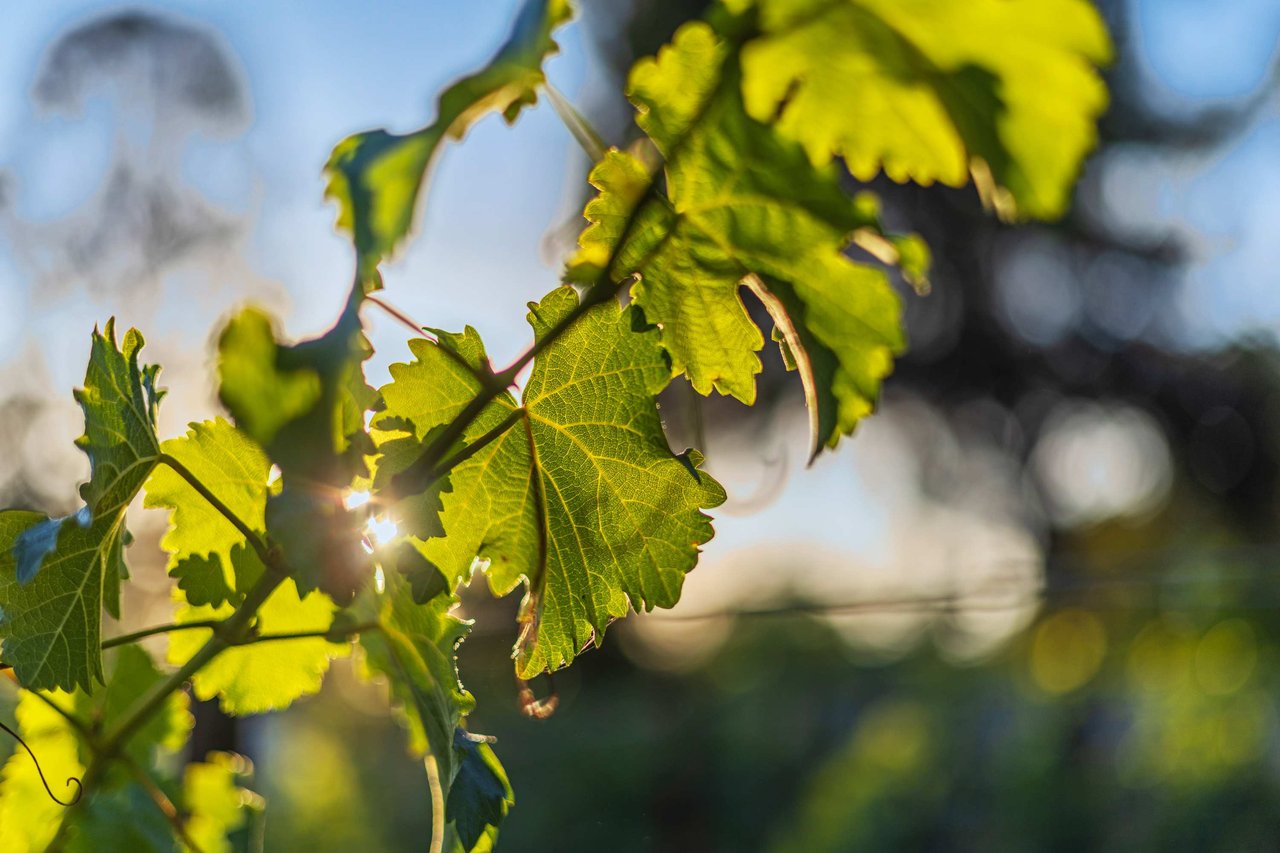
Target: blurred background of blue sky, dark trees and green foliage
(1035,604)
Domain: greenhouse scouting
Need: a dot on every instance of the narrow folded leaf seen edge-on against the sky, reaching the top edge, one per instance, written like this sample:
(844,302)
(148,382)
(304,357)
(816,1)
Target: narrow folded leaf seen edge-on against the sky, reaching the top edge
(377,177)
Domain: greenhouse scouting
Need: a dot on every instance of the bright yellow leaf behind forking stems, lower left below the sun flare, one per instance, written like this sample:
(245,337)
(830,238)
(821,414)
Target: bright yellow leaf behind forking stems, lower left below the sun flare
(263,677)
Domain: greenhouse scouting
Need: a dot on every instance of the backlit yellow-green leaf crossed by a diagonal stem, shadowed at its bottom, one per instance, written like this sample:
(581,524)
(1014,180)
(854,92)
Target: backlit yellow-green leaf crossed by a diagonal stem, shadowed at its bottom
(208,555)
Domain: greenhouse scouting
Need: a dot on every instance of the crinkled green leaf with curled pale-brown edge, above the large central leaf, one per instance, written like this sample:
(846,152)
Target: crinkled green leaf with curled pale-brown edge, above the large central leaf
(746,208)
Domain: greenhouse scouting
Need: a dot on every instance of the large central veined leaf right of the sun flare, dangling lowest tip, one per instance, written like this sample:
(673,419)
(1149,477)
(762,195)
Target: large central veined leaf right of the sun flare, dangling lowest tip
(583,499)
